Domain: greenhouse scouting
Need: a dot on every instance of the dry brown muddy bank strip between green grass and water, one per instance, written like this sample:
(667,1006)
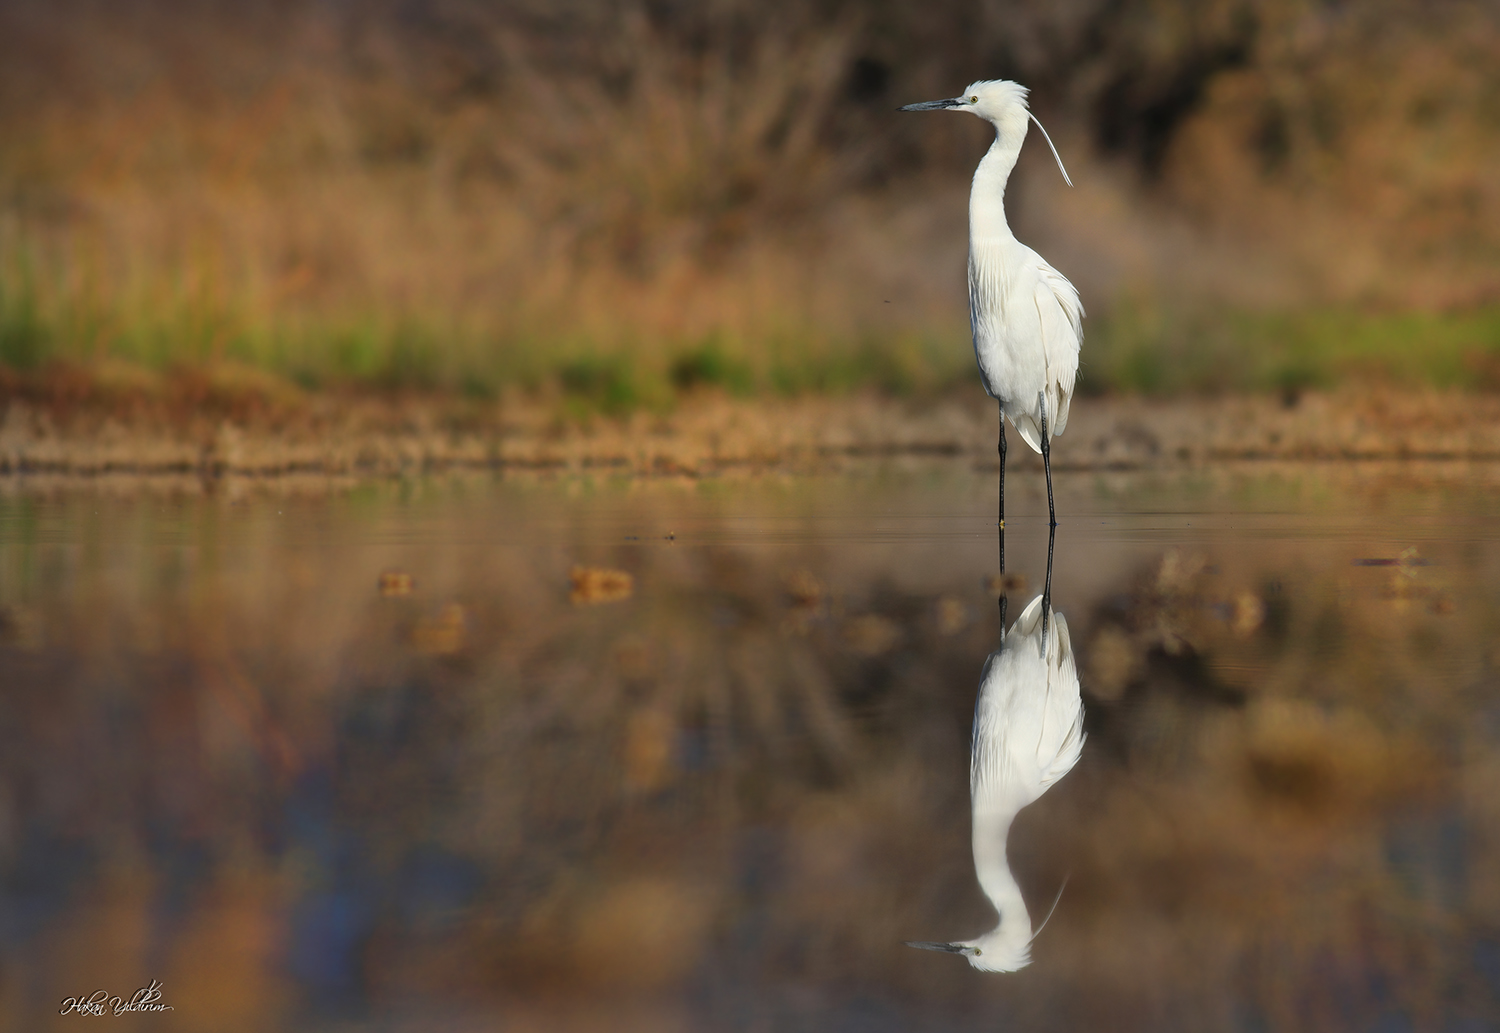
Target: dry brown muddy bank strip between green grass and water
(380,437)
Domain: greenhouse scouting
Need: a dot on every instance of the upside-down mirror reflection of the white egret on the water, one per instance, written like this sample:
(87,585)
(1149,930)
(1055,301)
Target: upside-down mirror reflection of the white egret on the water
(1028,734)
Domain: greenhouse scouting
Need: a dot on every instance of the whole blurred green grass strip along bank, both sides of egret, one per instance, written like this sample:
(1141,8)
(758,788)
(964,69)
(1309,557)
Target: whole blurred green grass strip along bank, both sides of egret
(1139,349)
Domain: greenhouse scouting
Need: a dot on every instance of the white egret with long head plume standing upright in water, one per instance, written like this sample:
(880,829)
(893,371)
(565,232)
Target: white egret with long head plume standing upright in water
(1025,316)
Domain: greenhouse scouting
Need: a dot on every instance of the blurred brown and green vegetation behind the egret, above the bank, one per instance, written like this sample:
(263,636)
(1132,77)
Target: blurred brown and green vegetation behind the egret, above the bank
(622,202)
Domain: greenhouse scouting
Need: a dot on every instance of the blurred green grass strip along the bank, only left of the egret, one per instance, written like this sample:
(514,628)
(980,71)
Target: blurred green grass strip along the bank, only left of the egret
(175,325)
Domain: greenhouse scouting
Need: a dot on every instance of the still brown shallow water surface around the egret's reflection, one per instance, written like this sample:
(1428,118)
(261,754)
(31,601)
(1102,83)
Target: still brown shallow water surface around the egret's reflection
(356,761)
